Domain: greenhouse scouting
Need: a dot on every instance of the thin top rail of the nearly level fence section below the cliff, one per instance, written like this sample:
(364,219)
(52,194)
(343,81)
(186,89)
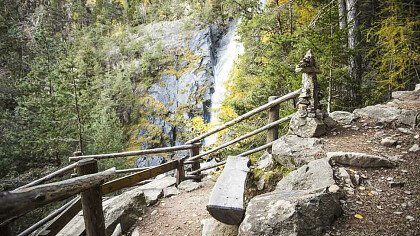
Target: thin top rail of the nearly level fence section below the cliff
(136,153)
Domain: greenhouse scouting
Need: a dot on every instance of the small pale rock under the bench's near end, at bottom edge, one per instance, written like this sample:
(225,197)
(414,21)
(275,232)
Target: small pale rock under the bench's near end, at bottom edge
(212,227)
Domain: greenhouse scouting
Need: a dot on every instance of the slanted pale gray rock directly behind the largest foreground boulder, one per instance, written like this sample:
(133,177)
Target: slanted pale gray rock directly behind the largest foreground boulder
(314,175)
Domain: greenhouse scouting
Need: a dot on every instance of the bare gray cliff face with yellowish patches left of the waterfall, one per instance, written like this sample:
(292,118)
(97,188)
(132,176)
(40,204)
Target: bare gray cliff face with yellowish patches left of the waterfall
(183,90)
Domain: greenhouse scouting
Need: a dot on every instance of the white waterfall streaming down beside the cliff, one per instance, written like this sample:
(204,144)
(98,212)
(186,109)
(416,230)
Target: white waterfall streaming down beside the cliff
(228,51)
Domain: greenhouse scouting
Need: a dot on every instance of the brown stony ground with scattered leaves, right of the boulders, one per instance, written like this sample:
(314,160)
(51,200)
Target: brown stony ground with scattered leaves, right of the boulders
(387,200)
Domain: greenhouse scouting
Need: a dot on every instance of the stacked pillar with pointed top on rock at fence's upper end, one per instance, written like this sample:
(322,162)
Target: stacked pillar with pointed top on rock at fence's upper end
(309,120)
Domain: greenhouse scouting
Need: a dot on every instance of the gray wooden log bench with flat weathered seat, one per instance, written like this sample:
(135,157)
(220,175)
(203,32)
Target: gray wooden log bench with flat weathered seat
(226,203)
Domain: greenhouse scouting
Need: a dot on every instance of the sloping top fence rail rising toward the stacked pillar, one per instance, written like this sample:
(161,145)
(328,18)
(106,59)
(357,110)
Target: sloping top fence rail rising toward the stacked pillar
(246,115)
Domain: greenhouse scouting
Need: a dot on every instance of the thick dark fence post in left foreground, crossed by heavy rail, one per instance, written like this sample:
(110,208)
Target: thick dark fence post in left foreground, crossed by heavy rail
(92,201)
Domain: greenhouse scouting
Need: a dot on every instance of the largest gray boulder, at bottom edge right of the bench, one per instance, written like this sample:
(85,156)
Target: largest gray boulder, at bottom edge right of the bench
(290,213)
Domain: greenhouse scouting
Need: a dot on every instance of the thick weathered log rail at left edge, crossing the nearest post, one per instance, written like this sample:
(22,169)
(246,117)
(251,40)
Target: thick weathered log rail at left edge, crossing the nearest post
(18,202)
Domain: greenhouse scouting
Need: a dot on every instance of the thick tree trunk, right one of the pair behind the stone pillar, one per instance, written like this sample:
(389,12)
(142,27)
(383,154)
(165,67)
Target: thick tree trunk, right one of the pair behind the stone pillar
(355,60)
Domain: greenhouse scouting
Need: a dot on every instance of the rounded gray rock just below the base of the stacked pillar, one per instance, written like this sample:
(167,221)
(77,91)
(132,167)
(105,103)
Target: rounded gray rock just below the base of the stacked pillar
(293,151)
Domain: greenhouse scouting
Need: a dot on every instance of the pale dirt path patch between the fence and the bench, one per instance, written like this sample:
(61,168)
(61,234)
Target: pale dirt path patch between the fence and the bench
(178,215)
